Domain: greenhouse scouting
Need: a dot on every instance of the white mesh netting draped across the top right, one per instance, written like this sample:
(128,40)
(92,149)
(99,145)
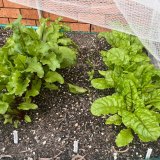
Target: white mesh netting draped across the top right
(137,17)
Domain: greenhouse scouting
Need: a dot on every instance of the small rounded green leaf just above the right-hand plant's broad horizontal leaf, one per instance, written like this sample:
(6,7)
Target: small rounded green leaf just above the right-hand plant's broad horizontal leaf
(100,83)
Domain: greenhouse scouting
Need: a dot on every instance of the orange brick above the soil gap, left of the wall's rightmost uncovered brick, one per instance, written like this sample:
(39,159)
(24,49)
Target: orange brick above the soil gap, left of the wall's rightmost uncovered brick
(79,26)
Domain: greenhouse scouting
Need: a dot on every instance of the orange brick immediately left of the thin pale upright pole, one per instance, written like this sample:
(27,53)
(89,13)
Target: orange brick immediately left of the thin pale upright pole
(29,13)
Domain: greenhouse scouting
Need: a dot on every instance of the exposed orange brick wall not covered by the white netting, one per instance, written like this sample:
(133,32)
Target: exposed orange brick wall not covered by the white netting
(9,12)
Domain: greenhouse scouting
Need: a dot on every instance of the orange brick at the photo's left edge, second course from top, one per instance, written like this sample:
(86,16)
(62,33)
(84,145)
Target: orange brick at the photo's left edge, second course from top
(8,12)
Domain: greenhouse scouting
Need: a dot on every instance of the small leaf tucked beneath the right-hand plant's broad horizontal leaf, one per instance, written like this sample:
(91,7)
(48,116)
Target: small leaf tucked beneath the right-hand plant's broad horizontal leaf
(115,119)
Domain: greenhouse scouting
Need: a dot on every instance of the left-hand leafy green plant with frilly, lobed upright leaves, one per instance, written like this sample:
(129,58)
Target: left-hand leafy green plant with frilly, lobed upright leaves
(28,60)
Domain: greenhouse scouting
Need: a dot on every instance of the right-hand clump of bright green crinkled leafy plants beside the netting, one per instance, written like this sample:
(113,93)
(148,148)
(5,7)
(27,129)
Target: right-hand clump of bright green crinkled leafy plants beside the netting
(136,102)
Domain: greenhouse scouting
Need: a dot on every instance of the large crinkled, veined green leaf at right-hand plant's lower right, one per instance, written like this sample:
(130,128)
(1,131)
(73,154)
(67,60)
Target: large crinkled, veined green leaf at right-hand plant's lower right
(143,122)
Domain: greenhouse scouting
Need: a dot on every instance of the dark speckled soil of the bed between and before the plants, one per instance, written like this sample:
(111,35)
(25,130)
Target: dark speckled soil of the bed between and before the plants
(63,117)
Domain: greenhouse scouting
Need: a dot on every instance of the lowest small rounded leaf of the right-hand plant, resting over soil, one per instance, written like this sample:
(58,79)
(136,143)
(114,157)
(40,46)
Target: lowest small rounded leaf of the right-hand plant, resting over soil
(124,137)
